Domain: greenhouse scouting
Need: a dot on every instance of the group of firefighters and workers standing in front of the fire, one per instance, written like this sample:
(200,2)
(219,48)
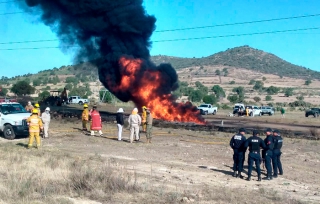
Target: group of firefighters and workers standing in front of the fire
(134,120)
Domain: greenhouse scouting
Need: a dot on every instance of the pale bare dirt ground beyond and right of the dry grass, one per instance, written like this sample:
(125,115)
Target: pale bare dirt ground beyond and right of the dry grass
(190,163)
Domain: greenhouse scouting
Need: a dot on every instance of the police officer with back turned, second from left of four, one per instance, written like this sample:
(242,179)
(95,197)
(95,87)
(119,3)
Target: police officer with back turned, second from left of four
(254,143)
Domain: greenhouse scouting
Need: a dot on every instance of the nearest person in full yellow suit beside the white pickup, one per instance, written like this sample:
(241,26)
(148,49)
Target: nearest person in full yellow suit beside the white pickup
(35,125)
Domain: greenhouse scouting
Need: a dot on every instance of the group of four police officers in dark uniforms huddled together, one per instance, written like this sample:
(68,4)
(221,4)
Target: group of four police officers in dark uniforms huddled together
(271,153)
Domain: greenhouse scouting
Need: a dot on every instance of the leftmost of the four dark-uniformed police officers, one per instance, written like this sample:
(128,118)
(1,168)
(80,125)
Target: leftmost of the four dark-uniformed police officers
(237,144)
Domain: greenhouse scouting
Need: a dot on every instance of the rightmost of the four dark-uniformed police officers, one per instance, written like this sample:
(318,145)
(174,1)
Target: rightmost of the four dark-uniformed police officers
(276,162)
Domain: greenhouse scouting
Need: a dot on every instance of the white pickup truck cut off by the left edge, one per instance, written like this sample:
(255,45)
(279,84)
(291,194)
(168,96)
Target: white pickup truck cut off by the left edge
(13,120)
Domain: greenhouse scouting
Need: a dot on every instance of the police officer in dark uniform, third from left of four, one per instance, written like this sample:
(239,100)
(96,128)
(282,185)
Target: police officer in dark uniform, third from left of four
(268,152)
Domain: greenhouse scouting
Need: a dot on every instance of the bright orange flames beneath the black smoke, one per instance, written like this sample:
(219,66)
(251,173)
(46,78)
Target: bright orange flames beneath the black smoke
(144,89)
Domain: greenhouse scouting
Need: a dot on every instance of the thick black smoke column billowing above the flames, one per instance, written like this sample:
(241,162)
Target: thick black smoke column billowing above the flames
(104,30)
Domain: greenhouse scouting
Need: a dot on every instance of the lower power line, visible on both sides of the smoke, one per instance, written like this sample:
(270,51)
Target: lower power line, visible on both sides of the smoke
(182,39)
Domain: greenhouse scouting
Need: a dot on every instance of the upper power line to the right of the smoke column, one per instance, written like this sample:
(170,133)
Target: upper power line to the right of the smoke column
(239,23)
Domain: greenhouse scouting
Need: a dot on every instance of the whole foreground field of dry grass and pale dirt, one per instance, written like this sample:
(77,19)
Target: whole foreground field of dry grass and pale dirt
(180,166)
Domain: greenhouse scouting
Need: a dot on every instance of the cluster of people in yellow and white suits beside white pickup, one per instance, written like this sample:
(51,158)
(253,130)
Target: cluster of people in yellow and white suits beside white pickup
(37,122)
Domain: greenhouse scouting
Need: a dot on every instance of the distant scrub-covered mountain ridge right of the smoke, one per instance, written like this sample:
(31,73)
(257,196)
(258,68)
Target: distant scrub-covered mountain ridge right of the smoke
(243,57)
